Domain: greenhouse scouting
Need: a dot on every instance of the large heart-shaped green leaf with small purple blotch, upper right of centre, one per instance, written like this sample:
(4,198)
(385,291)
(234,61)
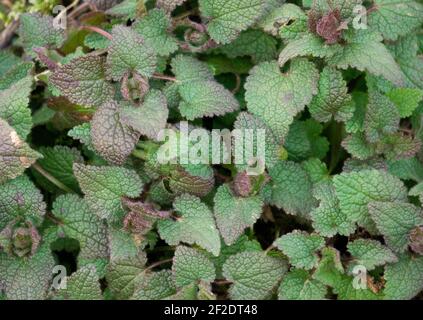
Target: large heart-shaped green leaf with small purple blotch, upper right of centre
(276,97)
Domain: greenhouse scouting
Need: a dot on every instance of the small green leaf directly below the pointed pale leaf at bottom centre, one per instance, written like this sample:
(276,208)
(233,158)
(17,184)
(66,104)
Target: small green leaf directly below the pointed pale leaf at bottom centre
(190,266)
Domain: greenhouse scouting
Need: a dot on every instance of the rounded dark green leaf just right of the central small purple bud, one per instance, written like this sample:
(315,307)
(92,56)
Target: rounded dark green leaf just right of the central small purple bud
(291,188)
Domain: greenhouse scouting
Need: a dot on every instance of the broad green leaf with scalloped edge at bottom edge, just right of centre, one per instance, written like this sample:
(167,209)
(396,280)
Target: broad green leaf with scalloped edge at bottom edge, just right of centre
(254,275)
